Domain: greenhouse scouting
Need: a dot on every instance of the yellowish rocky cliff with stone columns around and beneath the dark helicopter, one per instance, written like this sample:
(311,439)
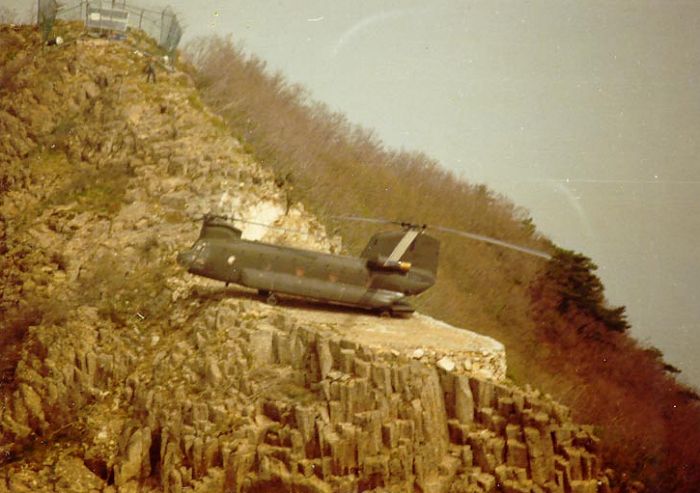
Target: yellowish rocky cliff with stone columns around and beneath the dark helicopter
(125,374)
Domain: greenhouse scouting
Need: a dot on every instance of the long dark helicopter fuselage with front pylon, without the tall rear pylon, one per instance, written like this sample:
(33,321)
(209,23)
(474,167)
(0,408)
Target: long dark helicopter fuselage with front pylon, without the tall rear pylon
(221,254)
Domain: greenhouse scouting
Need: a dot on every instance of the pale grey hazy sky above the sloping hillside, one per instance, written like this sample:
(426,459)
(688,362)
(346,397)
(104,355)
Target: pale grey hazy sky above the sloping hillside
(586,113)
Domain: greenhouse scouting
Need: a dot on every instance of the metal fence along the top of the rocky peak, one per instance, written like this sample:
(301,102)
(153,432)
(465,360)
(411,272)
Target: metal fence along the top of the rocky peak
(161,25)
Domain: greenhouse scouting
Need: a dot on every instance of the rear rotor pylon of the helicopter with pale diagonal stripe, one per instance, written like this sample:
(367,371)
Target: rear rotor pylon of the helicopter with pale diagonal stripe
(404,249)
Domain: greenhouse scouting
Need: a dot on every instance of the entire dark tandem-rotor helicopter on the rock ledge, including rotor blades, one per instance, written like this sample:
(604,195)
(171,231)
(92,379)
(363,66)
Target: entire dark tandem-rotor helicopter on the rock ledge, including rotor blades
(393,265)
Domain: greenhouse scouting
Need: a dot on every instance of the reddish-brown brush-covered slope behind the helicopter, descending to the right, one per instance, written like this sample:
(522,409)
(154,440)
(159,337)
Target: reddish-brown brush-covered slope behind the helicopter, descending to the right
(649,422)
